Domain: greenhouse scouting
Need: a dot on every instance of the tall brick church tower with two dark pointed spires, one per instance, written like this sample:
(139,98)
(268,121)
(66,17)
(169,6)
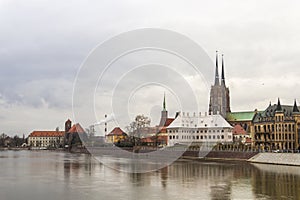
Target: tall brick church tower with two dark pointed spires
(219,101)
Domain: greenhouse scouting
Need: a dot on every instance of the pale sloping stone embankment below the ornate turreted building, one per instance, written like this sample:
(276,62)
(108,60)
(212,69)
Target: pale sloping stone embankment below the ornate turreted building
(277,158)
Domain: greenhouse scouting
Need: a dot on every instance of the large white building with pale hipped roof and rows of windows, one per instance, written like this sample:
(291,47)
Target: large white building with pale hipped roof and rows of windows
(187,129)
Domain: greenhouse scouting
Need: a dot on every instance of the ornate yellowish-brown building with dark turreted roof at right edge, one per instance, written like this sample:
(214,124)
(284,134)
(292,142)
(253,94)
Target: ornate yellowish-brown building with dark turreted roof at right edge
(277,127)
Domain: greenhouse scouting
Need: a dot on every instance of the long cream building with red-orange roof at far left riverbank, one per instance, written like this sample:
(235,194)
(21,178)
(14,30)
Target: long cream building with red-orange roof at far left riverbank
(53,139)
